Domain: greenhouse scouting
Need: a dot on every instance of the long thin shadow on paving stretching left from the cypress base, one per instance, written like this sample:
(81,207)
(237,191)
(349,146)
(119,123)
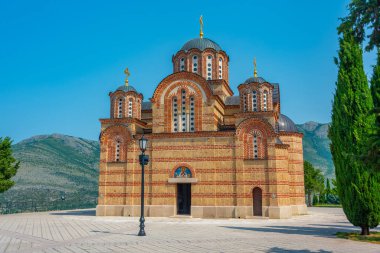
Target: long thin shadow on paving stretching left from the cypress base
(295,230)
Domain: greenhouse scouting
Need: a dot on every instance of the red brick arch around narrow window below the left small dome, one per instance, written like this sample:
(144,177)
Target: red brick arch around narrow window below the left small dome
(110,137)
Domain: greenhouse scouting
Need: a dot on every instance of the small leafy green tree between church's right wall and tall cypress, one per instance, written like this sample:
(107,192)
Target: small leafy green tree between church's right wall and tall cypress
(314,181)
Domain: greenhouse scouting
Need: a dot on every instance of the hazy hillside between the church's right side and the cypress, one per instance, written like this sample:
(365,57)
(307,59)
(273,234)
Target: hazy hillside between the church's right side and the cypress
(316,146)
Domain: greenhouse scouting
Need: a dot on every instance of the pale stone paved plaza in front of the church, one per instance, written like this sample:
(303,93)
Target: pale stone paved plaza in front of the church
(81,231)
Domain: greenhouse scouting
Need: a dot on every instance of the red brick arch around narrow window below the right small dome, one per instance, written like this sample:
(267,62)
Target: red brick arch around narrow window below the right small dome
(255,127)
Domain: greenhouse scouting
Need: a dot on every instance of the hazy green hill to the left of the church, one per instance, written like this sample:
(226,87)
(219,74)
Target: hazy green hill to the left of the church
(52,166)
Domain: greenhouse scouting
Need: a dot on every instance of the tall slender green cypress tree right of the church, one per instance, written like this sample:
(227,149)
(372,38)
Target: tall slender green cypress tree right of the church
(358,187)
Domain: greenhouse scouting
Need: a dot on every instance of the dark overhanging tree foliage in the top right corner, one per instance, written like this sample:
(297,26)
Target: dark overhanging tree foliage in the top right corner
(364,15)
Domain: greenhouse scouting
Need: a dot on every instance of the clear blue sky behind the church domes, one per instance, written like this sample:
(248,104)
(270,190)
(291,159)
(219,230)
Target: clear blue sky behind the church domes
(60,59)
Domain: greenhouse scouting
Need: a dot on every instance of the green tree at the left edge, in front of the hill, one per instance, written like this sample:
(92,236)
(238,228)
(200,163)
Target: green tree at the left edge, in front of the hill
(8,164)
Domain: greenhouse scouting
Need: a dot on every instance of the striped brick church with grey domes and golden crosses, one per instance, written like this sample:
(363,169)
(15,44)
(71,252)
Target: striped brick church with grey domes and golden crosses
(212,154)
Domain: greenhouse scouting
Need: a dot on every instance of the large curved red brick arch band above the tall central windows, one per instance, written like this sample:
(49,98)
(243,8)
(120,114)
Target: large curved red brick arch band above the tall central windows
(180,76)
